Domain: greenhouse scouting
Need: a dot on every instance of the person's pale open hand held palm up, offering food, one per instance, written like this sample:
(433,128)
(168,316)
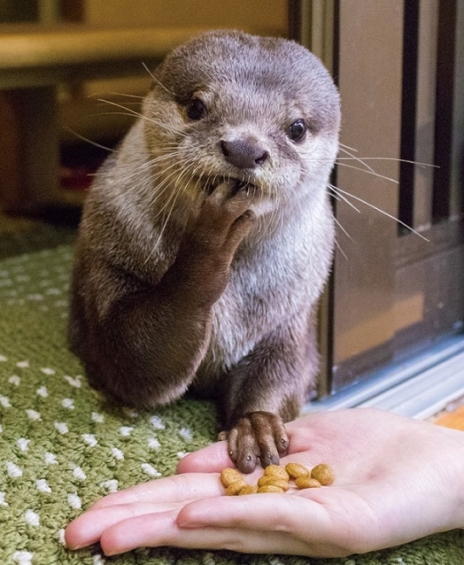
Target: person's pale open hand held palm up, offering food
(397,480)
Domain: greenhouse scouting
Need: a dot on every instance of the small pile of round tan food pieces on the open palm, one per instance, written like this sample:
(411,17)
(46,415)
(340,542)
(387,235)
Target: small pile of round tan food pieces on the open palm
(277,479)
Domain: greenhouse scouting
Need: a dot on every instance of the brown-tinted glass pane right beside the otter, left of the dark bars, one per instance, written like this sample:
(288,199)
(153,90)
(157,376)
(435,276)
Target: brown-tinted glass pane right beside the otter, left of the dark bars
(370,81)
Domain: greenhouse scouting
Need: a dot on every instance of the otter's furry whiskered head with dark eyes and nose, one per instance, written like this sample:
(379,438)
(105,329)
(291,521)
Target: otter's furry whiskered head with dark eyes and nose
(261,111)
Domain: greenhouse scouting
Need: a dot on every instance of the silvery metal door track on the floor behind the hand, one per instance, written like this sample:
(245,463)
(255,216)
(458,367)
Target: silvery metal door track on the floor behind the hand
(419,387)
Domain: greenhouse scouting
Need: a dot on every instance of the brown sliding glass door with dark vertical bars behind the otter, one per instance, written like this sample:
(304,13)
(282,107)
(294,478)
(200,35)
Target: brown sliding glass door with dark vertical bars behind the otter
(399,67)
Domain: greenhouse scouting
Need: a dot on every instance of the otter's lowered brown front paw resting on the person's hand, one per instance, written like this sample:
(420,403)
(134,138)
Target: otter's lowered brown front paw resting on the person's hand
(257,437)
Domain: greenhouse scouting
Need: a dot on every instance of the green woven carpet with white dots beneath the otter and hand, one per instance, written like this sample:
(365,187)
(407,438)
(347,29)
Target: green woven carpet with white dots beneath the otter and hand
(62,446)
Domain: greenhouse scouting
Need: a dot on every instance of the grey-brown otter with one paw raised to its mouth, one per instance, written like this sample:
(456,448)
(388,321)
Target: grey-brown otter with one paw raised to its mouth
(207,237)
